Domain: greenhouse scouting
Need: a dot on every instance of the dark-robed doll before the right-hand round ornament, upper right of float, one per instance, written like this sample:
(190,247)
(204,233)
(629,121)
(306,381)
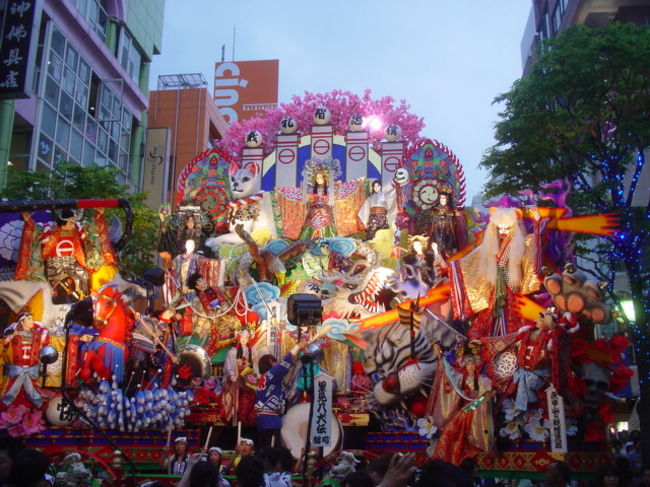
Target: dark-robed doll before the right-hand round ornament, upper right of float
(447,225)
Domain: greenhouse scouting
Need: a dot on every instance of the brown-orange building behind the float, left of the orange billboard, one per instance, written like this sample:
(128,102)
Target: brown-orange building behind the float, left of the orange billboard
(183,103)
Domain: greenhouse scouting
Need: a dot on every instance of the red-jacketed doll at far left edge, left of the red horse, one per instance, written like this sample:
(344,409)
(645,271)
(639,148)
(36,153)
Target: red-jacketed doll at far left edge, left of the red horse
(24,339)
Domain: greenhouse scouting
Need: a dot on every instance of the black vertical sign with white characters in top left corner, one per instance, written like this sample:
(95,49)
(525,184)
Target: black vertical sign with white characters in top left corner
(18,48)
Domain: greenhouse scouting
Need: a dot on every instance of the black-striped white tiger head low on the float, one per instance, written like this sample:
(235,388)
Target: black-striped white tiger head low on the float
(388,359)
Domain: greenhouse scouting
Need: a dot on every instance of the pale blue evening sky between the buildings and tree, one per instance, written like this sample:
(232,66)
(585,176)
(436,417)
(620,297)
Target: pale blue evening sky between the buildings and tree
(448,59)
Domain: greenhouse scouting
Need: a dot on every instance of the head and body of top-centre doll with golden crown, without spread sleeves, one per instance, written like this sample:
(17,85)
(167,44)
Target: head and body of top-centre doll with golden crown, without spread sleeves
(319,191)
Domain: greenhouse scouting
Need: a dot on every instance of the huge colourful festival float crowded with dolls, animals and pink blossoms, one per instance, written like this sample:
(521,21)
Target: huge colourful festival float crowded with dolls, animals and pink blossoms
(426,325)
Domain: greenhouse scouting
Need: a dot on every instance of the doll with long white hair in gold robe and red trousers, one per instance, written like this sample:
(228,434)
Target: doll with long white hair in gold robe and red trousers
(485,283)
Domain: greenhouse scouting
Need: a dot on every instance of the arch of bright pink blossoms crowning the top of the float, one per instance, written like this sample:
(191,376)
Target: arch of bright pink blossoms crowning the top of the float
(341,104)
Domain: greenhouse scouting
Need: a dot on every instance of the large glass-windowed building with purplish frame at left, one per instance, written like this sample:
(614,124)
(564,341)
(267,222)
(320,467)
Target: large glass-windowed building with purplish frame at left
(90,86)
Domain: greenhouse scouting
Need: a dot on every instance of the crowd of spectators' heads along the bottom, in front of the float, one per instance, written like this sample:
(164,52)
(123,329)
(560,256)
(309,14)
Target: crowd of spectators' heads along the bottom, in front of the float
(275,467)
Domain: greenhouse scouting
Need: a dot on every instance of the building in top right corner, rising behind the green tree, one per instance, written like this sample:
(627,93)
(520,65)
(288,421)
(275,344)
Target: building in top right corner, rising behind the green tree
(548,17)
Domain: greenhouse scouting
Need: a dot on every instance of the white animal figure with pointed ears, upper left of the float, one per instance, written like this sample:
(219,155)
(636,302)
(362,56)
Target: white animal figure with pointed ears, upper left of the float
(249,208)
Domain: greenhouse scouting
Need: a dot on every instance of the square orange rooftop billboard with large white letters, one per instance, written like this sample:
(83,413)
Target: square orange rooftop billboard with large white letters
(245,89)
